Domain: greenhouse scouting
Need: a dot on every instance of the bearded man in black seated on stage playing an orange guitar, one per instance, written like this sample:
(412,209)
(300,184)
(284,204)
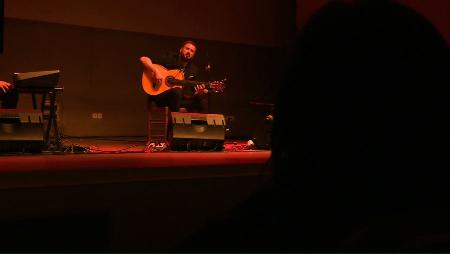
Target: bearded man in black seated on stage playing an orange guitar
(170,82)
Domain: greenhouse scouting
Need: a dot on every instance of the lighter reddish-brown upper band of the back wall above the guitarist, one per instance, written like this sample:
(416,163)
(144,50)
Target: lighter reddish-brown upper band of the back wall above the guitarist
(254,22)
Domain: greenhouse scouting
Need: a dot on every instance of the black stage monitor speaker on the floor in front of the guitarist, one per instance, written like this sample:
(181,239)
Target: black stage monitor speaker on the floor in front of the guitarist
(192,131)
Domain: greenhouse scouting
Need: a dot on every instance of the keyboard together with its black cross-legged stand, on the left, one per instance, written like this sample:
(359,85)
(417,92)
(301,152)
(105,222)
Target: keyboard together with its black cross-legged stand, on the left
(44,83)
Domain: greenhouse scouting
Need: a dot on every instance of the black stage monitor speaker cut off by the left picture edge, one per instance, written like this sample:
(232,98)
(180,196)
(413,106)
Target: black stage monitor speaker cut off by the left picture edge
(21,131)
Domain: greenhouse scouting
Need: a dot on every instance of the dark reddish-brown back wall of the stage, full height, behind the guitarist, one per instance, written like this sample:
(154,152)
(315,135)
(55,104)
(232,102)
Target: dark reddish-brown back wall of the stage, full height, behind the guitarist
(97,44)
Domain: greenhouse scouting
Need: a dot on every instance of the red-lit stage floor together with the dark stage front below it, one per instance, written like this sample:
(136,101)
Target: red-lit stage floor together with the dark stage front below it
(130,200)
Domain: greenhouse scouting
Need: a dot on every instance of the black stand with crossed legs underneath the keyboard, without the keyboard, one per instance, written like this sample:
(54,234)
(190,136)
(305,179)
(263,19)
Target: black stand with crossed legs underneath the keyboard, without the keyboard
(51,121)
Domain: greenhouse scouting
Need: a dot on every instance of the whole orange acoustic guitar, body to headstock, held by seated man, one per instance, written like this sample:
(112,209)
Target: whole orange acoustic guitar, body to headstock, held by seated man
(172,79)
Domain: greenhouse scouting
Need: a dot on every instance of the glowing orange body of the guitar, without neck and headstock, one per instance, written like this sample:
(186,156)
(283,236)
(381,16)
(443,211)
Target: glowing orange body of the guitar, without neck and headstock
(152,87)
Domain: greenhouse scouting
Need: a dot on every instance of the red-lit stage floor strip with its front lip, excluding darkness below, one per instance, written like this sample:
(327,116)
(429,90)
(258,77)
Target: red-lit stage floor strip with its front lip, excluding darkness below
(126,159)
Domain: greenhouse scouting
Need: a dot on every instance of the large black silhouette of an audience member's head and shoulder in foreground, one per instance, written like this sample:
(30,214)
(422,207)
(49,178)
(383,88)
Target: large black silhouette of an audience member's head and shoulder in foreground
(366,168)
